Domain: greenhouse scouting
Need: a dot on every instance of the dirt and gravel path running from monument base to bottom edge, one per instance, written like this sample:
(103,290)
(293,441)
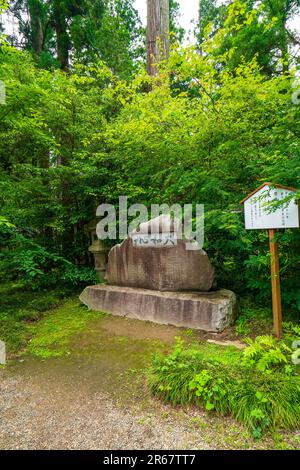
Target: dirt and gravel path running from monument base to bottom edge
(96,398)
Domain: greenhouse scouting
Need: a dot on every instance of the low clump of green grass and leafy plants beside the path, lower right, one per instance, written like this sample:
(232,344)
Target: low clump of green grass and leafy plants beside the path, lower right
(229,387)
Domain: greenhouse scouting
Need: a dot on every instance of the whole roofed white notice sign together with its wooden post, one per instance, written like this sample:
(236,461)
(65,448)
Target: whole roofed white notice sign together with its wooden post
(260,215)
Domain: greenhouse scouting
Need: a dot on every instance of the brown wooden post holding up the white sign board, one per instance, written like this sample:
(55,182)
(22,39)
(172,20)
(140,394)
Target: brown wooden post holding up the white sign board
(275,277)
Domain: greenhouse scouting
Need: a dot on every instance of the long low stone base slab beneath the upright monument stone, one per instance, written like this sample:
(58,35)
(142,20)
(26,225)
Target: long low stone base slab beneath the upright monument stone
(213,311)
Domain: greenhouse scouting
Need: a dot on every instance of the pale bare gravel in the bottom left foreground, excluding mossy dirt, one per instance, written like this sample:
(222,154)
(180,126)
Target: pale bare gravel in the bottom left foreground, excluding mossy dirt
(50,415)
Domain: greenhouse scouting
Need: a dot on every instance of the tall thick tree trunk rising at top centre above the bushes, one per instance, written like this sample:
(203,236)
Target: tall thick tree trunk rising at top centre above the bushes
(158,25)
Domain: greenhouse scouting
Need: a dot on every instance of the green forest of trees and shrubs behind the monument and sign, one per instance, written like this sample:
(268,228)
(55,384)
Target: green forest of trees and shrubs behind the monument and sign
(83,123)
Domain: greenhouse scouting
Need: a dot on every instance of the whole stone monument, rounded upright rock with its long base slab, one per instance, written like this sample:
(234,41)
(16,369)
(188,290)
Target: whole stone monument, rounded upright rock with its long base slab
(152,276)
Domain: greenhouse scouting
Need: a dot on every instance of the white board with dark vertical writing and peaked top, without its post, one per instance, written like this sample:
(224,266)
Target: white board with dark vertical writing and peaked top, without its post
(259,214)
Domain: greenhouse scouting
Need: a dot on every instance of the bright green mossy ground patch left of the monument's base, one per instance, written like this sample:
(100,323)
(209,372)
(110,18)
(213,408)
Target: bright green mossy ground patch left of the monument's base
(40,323)
